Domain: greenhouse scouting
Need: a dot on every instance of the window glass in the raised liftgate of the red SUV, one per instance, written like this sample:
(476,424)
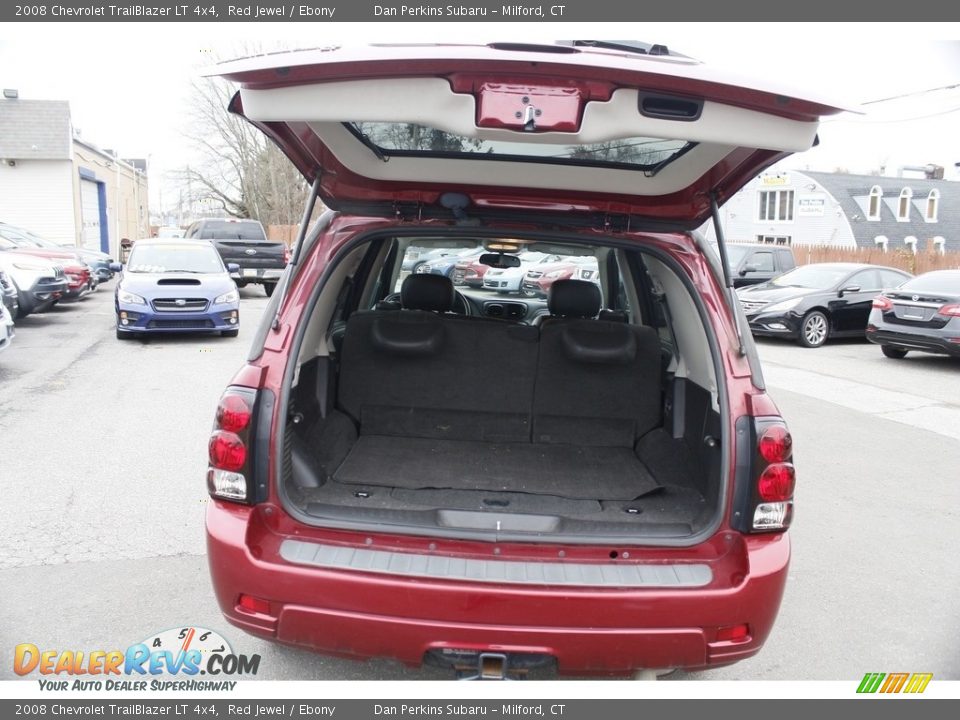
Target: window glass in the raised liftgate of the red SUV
(636,153)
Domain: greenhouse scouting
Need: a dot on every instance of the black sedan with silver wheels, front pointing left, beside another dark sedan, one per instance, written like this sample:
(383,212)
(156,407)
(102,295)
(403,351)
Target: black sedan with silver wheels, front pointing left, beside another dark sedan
(814,302)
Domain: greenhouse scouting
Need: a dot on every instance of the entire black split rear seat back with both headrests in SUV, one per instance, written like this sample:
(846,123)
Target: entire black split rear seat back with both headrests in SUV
(426,373)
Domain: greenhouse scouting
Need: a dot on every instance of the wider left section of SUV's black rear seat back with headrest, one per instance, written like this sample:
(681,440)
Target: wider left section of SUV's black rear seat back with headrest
(422,373)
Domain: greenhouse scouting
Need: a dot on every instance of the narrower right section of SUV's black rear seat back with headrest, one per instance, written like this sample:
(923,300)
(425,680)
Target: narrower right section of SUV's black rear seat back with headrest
(598,382)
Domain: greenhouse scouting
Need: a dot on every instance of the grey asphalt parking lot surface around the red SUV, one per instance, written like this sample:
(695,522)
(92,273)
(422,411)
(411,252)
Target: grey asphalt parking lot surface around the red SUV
(103,455)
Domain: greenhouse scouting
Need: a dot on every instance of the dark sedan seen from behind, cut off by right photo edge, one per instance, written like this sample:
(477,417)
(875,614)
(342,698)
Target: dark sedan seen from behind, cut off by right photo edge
(922,314)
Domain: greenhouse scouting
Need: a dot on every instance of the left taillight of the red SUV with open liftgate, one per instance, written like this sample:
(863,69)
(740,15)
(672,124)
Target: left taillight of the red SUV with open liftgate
(229,450)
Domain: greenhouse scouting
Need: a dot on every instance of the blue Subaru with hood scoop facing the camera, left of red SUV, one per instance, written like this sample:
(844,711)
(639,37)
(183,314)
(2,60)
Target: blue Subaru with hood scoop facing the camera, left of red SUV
(176,285)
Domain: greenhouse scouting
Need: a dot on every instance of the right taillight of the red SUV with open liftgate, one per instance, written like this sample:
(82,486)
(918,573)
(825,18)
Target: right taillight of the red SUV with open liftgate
(765,480)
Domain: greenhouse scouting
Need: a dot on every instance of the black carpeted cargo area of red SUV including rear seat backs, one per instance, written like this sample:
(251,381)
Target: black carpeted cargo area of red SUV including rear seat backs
(573,426)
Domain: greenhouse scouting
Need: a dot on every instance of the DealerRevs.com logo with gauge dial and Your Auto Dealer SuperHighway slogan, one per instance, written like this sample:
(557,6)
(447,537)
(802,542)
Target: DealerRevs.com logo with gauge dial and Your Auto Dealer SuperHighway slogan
(170,660)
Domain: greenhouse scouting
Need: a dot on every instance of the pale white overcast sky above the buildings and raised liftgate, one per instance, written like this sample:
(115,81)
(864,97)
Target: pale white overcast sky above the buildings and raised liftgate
(129,83)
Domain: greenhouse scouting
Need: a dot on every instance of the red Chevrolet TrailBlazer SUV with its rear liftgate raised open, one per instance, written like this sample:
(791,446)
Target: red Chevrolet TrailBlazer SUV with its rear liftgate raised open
(432,473)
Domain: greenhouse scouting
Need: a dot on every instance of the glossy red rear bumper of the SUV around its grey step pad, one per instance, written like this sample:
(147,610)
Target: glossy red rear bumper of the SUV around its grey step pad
(587,629)
